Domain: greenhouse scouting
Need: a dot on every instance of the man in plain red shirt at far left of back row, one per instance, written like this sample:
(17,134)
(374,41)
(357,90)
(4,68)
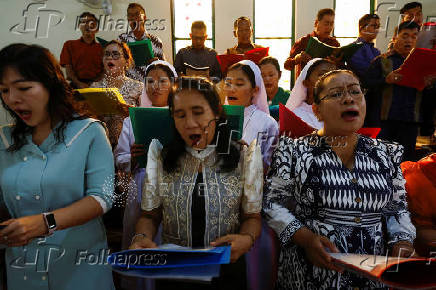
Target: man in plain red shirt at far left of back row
(82,58)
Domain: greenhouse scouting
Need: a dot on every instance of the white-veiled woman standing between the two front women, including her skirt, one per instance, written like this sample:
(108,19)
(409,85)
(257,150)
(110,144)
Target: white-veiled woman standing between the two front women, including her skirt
(244,87)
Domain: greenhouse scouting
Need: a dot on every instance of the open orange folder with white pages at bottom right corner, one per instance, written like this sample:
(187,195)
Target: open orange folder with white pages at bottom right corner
(404,273)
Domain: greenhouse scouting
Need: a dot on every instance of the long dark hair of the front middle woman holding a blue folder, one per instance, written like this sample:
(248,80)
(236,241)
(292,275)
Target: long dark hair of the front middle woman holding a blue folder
(227,152)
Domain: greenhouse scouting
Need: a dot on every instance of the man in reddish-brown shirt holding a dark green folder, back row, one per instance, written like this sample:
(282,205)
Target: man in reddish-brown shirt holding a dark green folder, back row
(324,24)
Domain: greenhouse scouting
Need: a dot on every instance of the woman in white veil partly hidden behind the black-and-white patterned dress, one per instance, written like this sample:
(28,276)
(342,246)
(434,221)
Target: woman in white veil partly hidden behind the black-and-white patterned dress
(301,99)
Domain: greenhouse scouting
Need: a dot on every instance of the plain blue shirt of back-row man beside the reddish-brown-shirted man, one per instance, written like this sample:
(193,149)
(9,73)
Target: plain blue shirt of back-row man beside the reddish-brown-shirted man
(361,60)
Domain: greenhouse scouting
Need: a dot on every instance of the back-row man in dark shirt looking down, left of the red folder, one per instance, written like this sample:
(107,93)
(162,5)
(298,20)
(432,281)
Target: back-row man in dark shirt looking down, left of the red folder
(197,54)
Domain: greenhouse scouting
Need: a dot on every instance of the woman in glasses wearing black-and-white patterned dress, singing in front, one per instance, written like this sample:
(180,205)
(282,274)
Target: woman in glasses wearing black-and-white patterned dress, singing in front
(336,191)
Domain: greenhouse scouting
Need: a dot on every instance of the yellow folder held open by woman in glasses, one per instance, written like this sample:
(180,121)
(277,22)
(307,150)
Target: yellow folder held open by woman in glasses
(102,101)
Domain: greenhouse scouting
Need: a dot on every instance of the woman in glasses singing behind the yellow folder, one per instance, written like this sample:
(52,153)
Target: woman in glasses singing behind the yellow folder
(117,59)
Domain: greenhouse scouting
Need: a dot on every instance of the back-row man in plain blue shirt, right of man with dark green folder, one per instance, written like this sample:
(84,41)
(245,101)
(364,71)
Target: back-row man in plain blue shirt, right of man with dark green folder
(369,26)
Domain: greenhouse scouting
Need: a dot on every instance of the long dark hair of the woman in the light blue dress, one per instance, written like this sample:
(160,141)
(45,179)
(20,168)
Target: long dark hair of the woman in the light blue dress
(36,63)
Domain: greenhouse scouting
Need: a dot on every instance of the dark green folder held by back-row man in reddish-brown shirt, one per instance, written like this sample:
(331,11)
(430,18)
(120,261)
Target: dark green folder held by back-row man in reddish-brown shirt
(316,48)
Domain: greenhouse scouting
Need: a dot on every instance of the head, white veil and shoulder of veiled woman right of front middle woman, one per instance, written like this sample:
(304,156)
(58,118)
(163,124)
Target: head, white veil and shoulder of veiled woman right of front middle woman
(244,87)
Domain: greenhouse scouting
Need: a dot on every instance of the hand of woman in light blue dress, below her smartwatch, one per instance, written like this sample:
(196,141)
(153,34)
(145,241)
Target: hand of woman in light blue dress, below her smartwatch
(19,232)
